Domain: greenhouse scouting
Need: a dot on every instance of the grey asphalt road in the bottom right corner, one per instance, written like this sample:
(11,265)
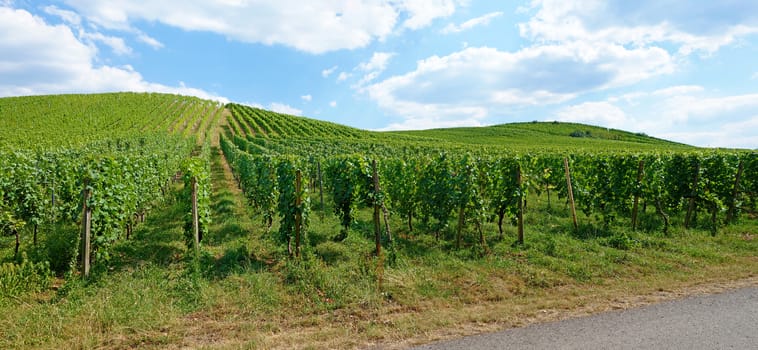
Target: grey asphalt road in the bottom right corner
(721,321)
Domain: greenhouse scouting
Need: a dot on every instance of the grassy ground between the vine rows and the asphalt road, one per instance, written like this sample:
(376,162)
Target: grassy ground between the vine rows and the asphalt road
(248,294)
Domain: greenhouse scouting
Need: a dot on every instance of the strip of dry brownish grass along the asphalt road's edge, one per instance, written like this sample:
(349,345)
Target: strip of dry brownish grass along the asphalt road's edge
(396,327)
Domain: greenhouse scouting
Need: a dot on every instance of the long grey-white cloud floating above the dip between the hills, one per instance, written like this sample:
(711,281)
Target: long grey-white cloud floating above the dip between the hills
(476,81)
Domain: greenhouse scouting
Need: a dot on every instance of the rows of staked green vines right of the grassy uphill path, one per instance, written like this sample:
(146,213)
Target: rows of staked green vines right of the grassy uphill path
(436,183)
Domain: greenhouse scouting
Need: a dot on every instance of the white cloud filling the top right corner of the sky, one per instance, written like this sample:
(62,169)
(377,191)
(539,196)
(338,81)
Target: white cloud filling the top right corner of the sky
(691,28)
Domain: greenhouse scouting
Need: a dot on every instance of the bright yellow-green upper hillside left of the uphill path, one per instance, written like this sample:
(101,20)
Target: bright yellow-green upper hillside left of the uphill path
(56,121)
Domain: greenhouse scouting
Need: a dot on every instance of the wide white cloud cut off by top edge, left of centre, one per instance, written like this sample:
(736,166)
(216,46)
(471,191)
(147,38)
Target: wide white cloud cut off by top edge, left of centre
(316,27)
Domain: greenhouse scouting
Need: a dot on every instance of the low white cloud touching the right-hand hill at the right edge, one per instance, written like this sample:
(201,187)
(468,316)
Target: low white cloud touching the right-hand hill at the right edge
(689,114)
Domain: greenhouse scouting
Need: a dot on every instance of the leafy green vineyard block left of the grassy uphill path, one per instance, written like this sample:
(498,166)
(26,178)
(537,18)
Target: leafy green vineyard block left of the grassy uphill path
(107,158)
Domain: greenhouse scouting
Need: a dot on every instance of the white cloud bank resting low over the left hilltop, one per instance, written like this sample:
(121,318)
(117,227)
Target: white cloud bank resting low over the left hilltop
(50,59)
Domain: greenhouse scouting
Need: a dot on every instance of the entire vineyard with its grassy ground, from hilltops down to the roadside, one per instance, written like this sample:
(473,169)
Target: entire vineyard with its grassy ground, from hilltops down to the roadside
(208,200)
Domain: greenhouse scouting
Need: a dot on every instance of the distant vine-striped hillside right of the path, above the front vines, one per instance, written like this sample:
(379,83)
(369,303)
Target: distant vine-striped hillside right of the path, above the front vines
(254,122)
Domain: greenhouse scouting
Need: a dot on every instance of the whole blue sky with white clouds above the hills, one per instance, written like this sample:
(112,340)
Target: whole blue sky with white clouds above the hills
(680,70)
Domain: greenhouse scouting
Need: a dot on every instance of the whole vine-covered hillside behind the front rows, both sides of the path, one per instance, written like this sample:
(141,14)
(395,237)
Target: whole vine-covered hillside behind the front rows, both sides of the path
(87,118)
